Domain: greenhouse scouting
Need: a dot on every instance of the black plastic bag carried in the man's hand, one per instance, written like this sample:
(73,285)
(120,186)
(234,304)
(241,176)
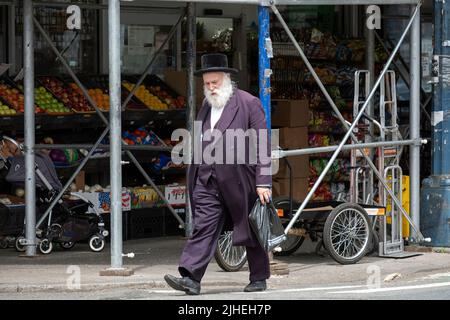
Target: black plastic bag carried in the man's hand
(266,225)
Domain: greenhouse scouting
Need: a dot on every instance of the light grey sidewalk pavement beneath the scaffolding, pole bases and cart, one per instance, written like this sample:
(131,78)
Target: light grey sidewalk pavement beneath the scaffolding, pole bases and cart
(155,257)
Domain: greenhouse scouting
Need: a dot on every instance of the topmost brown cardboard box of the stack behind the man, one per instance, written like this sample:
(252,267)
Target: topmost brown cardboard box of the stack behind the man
(290,113)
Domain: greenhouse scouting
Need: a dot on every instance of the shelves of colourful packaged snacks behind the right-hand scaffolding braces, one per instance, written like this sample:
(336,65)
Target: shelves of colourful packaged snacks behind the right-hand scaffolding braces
(334,61)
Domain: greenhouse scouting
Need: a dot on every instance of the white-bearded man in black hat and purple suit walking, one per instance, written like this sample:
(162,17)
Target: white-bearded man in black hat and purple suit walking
(225,192)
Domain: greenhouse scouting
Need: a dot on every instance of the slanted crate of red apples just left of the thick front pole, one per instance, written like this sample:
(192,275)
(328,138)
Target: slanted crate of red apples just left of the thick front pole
(67,94)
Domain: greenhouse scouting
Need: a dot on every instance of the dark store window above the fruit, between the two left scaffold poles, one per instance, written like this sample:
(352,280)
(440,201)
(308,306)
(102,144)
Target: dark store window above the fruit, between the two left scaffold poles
(79,46)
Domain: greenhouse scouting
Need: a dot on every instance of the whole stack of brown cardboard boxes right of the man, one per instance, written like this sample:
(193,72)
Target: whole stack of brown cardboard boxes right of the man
(290,118)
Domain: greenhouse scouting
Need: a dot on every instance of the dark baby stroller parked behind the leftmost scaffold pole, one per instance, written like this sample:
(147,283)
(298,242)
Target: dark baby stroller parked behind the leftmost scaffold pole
(69,221)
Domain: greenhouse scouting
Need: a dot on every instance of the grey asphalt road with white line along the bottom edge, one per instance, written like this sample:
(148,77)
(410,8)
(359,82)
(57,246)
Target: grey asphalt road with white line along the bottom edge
(432,287)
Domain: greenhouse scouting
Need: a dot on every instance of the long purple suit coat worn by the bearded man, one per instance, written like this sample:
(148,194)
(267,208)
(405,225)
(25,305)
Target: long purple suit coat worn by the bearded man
(237,182)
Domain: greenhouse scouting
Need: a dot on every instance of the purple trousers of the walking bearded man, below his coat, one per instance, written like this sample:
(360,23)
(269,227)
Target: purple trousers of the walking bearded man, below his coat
(209,218)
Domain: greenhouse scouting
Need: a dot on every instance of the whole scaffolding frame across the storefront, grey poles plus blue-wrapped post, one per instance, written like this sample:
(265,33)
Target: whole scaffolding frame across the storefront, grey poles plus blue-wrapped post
(264,76)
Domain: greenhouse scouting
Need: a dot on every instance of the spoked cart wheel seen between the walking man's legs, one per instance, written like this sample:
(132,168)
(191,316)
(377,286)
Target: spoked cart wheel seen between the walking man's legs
(229,258)
